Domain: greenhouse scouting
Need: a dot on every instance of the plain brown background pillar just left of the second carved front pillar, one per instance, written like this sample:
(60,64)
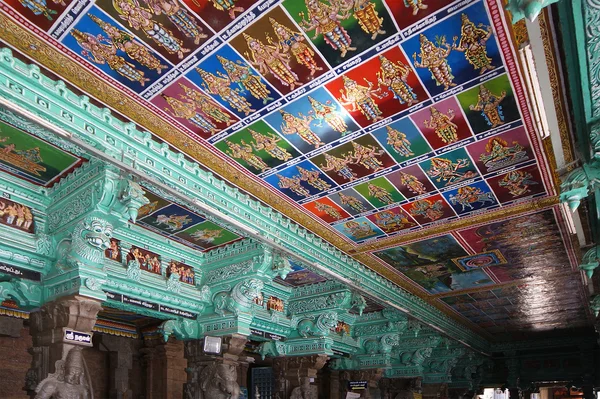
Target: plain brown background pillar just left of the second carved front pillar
(164,368)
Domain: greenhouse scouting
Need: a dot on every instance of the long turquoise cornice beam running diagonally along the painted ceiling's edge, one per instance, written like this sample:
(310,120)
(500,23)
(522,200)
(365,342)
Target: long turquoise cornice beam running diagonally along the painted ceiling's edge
(123,144)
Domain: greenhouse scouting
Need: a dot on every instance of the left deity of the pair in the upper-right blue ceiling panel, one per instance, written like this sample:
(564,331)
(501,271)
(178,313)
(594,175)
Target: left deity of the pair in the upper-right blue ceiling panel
(436,60)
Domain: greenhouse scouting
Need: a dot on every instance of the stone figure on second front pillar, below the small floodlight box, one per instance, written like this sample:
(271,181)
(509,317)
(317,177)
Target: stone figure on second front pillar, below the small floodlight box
(219,381)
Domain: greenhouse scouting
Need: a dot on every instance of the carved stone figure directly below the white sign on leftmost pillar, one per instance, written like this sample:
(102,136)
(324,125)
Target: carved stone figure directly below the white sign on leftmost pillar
(68,382)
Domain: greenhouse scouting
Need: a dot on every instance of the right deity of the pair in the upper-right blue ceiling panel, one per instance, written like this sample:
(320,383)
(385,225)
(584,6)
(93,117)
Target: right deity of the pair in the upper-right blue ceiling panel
(472,43)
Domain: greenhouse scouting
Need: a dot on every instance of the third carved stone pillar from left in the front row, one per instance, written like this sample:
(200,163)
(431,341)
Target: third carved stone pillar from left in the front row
(293,372)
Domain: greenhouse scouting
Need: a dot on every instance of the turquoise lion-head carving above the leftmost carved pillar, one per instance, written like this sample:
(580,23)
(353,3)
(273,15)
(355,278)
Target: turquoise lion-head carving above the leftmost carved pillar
(89,239)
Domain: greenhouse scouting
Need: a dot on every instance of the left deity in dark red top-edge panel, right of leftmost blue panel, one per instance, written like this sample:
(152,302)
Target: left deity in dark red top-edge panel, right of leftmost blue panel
(140,18)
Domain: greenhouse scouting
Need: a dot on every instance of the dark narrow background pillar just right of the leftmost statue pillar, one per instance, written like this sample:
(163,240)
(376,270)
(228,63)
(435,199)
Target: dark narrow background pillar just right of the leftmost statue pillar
(120,362)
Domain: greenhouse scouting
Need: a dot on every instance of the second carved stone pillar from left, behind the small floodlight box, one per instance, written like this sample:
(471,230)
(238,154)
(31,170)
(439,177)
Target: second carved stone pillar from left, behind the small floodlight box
(231,366)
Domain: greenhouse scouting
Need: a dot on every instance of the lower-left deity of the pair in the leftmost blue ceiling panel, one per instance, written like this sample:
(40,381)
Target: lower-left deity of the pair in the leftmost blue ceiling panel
(100,50)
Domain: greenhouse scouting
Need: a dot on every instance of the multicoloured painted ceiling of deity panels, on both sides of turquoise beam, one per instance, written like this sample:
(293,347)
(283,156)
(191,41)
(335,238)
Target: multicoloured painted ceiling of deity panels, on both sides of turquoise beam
(396,130)
